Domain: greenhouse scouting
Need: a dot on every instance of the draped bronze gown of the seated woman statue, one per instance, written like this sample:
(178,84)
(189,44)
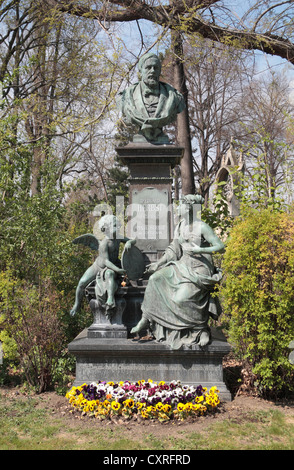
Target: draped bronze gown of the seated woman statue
(181,323)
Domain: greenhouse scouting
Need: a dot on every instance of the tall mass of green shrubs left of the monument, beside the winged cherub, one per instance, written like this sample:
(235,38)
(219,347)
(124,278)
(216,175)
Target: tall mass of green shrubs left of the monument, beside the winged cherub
(39,265)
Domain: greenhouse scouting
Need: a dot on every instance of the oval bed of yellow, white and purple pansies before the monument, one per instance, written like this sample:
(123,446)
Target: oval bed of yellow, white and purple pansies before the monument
(145,399)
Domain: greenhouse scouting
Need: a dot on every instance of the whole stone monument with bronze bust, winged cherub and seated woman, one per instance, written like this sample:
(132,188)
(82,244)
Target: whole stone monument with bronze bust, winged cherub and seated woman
(156,324)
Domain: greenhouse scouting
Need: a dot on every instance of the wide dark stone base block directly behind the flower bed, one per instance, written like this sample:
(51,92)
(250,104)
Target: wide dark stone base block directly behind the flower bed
(119,359)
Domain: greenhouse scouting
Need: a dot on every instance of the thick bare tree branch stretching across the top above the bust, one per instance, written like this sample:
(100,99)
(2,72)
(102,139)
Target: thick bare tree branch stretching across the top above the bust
(195,16)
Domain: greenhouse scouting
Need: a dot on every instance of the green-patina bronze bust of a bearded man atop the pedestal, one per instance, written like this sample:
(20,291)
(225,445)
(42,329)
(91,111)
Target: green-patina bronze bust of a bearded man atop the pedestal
(151,104)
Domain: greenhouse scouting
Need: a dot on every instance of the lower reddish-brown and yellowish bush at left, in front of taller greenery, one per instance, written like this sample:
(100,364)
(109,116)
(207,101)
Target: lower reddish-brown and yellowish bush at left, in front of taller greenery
(30,316)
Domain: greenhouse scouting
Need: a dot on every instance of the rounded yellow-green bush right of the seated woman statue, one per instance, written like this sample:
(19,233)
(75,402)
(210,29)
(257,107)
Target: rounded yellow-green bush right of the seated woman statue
(258,295)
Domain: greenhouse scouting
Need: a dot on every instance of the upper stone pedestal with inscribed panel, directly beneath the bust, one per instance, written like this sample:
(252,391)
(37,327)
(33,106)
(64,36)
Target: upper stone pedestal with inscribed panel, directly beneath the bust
(150,212)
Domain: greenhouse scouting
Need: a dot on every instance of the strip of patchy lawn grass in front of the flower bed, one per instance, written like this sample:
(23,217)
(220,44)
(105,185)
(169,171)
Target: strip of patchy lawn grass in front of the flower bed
(24,426)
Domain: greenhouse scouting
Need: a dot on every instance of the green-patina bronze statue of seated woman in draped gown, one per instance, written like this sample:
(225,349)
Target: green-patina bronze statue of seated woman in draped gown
(178,301)
